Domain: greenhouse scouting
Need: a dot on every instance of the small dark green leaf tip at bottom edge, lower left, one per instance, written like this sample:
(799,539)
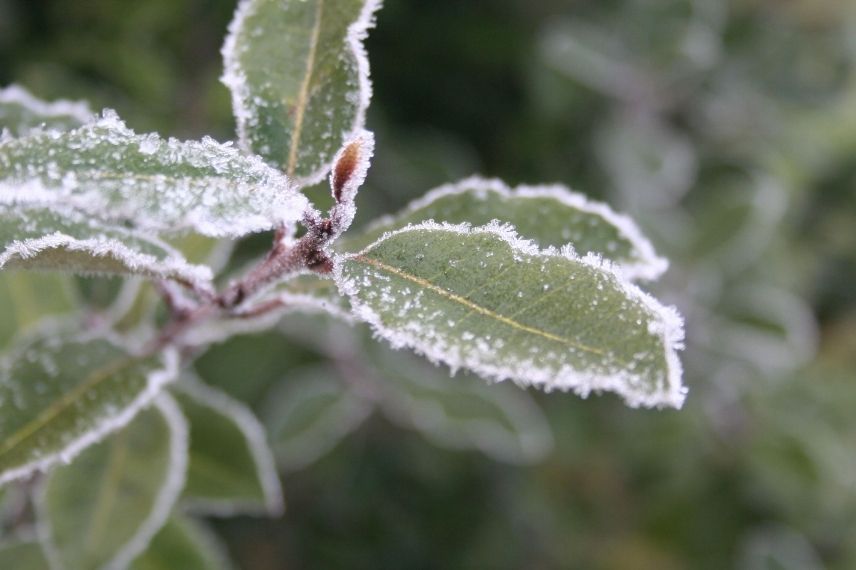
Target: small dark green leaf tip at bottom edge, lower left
(183,544)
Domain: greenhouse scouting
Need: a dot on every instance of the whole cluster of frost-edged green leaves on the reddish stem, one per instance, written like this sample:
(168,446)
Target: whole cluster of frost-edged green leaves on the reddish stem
(106,399)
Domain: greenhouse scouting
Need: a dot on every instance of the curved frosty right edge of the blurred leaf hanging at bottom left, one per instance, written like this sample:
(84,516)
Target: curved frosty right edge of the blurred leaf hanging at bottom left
(169,492)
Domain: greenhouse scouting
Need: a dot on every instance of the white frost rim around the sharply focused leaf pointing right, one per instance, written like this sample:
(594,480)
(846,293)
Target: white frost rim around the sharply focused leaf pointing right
(670,327)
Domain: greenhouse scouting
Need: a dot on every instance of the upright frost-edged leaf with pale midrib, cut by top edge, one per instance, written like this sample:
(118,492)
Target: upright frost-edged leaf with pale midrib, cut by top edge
(299,78)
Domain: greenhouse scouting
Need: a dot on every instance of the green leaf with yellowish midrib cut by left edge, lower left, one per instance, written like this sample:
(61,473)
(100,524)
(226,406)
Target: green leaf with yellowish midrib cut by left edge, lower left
(63,389)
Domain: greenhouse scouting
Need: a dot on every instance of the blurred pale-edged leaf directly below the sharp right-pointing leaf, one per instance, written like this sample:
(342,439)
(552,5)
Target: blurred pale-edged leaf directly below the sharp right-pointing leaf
(499,420)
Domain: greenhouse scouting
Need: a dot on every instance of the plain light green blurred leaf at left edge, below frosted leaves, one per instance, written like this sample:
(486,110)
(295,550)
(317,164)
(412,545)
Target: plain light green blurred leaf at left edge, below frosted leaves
(27,297)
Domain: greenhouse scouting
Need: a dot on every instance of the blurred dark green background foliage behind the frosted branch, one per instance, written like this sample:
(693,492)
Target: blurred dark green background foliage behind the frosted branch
(726,128)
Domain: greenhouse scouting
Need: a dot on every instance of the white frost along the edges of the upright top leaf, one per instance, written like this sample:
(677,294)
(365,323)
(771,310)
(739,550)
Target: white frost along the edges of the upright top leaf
(235,81)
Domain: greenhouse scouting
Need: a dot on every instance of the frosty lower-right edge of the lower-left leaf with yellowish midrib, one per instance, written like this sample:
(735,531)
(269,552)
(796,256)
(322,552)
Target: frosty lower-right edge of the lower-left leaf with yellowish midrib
(156,380)
